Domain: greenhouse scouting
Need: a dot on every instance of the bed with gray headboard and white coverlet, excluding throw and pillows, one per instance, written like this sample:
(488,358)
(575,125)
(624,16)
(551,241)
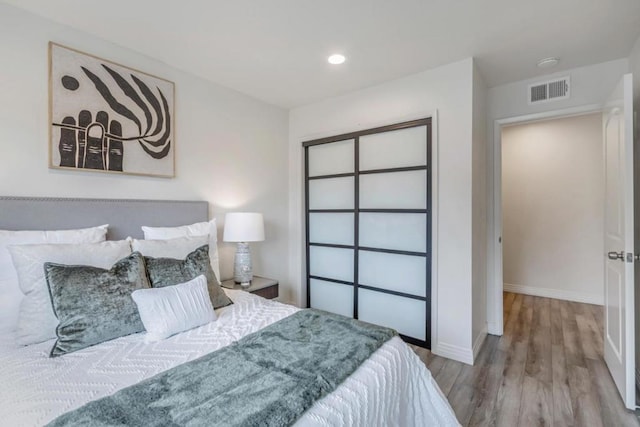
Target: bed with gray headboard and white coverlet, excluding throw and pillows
(391,387)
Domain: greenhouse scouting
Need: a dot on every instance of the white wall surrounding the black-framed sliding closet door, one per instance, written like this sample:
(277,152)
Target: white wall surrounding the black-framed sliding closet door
(447,90)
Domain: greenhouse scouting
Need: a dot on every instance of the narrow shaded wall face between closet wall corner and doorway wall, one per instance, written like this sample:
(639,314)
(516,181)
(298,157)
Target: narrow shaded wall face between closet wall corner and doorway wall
(479,221)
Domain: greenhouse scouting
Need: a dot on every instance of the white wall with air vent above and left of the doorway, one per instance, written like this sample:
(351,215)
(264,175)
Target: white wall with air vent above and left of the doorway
(590,86)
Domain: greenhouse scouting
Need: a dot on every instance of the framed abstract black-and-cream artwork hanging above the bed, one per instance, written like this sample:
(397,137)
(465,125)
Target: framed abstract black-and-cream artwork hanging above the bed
(107,117)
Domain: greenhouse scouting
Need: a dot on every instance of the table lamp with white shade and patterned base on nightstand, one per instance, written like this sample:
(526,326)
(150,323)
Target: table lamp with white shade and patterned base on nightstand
(242,228)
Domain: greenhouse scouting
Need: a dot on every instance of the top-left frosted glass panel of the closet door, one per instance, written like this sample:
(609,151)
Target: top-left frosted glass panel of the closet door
(334,157)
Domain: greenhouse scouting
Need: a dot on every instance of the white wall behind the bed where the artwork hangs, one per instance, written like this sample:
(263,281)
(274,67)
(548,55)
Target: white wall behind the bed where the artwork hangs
(230,149)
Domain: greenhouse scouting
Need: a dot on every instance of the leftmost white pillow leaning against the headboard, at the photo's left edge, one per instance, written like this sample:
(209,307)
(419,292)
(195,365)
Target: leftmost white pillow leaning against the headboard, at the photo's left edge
(10,295)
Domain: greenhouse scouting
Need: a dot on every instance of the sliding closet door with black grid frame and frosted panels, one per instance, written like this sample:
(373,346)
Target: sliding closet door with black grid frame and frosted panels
(368,226)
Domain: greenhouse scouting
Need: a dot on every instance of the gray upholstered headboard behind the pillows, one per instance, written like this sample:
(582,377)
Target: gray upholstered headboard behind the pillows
(123,216)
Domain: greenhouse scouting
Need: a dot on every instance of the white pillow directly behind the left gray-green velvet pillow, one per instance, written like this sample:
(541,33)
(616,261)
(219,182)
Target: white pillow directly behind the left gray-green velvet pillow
(36,321)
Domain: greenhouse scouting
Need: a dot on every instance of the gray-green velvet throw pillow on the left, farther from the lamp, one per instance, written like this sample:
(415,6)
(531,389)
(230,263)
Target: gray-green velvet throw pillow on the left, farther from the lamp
(94,305)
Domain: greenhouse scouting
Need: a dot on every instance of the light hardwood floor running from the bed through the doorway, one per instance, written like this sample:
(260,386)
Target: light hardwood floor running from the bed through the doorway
(546,370)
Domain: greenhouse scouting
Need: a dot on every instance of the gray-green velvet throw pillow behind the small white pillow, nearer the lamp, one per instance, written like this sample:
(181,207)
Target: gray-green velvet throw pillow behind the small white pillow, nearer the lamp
(169,271)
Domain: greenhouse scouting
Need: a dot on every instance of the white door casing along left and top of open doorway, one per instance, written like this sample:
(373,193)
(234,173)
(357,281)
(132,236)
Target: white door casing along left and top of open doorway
(495,286)
